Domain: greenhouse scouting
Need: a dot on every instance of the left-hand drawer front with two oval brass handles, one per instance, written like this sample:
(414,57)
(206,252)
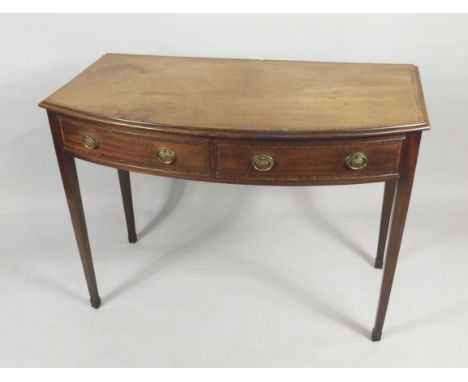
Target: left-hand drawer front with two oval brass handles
(110,146)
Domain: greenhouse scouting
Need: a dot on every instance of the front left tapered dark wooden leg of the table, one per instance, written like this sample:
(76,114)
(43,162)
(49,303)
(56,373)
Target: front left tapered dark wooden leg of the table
(67,167)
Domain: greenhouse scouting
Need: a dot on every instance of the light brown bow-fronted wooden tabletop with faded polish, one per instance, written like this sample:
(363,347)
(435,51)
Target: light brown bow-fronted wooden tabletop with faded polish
(246,95)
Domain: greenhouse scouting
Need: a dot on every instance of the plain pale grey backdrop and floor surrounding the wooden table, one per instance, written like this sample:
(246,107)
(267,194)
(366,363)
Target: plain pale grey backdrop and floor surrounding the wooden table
(227,275)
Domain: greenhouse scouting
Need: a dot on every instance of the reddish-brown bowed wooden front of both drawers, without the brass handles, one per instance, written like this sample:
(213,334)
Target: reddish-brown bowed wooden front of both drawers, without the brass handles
(305,162)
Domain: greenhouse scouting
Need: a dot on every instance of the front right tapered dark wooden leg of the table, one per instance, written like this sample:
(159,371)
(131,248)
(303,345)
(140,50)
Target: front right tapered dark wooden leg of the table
(400,209)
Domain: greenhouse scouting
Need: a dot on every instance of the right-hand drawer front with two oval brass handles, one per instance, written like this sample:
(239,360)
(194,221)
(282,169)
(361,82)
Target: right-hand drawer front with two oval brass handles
(350,159)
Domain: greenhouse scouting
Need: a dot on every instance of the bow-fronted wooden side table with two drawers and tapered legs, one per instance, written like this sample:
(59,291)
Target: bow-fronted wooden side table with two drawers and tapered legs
(247,122)
